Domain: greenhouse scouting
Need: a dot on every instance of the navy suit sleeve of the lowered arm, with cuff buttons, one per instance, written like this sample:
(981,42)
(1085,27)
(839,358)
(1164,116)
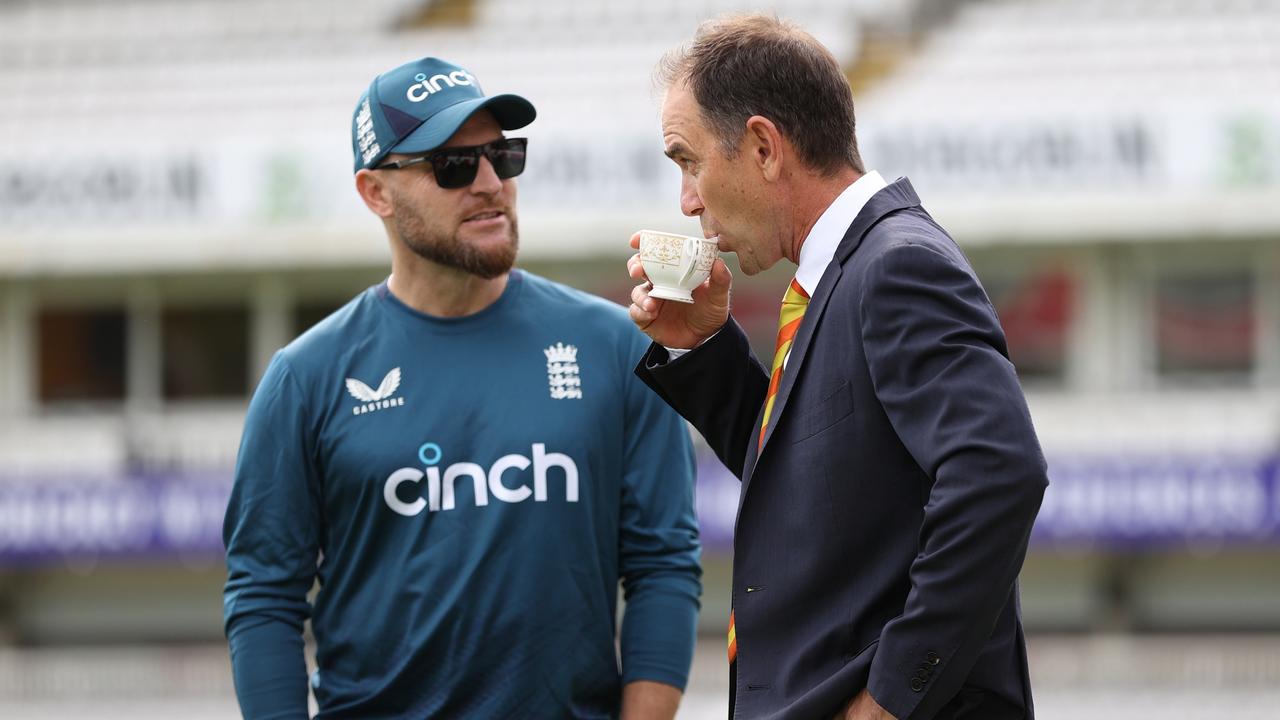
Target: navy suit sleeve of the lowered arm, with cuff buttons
(940,370)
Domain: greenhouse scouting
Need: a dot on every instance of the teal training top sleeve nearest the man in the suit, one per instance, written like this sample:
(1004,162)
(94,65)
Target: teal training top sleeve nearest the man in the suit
(659,545)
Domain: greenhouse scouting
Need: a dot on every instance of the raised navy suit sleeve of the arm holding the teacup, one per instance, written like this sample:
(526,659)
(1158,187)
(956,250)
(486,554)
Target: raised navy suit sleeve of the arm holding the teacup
(719,388)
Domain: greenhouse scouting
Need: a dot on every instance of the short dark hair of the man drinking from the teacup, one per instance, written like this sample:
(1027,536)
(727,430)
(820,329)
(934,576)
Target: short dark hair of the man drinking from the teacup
(743,66)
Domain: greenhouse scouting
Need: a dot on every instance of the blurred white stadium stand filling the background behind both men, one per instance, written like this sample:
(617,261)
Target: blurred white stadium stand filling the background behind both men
(176,204)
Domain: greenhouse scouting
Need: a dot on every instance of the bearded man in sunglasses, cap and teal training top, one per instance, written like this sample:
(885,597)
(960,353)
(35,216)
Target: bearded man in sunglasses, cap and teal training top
(464,461)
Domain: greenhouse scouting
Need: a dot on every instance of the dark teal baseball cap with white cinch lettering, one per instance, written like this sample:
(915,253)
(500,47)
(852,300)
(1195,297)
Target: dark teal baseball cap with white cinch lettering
(419,106)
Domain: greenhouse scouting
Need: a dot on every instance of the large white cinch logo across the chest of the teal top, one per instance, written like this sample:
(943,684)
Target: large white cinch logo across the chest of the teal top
(441,493)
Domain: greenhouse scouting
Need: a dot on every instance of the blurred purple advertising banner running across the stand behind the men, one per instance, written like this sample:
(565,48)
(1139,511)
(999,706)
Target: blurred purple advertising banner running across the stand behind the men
(1112,503)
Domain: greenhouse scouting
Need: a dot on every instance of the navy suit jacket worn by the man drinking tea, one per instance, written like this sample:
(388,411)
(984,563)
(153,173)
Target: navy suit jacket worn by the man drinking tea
(883,527)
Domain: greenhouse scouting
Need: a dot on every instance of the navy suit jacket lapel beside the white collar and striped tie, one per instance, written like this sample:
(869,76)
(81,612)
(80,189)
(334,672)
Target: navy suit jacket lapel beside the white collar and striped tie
(897,197)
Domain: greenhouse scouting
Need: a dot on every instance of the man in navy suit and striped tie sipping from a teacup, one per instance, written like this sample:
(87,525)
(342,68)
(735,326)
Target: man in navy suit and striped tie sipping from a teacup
(890,470)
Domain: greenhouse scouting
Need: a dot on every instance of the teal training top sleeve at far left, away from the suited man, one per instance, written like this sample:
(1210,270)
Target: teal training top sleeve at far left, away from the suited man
(272,536)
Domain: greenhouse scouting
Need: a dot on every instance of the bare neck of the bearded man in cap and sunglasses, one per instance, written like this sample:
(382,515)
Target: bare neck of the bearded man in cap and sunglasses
(444,293)
